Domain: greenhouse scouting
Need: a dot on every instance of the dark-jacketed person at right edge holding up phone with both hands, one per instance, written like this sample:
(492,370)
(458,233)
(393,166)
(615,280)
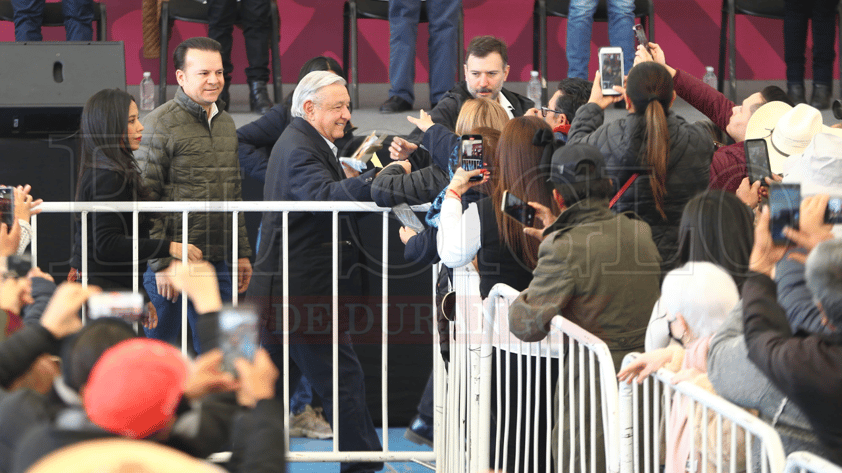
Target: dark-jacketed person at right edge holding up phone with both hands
(807,368)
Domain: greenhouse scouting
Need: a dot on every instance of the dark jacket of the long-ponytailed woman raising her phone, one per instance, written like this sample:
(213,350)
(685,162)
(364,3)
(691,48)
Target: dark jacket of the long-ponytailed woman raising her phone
(620,141)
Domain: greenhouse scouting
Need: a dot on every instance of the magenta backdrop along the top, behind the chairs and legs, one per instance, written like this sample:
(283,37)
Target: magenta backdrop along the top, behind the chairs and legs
(688,30)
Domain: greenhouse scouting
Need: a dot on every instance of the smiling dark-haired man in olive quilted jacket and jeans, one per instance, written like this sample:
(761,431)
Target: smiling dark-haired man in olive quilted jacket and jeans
(189,153)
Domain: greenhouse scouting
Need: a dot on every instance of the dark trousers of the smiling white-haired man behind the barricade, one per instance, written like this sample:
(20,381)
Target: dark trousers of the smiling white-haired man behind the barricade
(311,355)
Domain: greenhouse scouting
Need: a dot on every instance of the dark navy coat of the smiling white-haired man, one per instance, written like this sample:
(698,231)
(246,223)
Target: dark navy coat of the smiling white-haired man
(303,168)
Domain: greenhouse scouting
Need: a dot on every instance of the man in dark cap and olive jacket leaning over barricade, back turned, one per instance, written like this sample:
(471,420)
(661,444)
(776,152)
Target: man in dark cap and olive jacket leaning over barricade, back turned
(597,269)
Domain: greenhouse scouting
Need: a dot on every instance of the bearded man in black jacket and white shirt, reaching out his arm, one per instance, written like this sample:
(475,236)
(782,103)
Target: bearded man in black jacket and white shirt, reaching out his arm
(486,70)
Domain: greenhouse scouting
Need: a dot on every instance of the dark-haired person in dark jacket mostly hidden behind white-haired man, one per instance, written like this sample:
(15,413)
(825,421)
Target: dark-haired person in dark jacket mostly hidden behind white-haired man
(257,138)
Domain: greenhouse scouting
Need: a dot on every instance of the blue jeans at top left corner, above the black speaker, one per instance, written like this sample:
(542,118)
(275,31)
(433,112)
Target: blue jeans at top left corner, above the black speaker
(29,14)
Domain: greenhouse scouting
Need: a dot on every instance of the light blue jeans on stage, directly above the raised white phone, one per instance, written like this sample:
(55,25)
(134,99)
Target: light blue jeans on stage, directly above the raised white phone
(579,25)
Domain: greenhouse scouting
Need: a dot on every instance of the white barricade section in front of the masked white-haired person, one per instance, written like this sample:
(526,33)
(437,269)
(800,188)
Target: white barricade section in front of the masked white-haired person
(713,444)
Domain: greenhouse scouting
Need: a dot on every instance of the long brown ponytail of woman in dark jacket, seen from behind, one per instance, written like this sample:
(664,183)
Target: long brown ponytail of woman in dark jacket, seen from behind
(650,88)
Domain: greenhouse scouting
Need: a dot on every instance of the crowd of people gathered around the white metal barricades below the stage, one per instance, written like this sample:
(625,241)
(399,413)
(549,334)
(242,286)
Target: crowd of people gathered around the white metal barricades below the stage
(648,233)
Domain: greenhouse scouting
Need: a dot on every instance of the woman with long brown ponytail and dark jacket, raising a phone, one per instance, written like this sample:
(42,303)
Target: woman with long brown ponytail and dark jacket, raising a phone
(657,161)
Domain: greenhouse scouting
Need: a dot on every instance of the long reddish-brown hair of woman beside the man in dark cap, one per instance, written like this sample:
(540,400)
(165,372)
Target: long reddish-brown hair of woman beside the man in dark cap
(519,171)
